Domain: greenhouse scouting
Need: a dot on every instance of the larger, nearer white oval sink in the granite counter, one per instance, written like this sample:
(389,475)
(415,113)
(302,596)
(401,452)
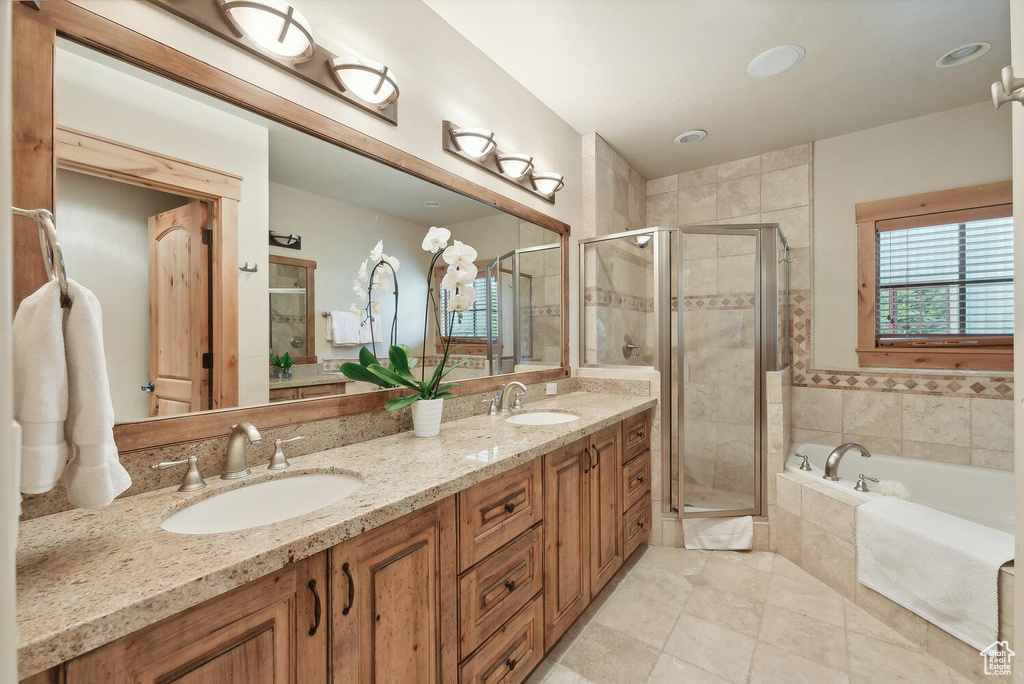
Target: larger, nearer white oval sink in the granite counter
(263,504)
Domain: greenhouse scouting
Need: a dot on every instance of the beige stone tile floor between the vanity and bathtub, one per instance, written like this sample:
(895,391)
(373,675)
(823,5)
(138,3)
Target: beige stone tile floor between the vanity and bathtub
(678,617)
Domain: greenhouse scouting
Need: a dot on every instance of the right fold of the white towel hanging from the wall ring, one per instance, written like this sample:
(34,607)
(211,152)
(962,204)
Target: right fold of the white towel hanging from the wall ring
(95,475)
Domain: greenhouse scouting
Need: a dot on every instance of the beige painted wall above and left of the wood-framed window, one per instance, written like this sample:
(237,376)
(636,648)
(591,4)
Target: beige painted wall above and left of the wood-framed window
(962,147)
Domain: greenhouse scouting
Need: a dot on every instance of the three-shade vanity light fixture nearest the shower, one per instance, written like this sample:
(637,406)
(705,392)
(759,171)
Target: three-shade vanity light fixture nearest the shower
(478,147)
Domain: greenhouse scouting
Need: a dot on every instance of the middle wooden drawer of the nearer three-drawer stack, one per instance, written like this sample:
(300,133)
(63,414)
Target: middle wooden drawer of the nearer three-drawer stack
(498,587)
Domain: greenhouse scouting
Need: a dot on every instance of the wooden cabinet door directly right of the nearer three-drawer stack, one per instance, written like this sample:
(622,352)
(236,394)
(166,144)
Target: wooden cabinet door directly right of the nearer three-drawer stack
(567,538)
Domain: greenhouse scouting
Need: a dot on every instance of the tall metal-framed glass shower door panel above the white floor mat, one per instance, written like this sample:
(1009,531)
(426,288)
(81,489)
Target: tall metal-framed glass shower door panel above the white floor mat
(720,362)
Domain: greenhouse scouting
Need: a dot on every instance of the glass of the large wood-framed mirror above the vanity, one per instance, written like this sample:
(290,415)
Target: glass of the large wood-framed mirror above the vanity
(161,259)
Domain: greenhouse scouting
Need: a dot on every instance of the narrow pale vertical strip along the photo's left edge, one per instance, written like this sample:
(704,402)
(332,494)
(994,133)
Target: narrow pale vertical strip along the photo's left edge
(9,492)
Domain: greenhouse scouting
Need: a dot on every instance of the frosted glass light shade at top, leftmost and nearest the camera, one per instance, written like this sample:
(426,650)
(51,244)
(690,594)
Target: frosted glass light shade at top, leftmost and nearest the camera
(274,25)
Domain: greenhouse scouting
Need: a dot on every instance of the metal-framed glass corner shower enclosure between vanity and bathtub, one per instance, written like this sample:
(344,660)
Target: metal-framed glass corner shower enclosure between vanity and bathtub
(706,307)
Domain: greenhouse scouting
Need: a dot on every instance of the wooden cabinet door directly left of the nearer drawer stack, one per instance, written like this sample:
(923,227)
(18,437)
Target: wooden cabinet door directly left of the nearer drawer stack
(395,603)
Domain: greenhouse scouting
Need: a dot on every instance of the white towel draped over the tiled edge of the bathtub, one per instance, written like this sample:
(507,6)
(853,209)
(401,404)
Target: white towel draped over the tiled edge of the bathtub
(943,568)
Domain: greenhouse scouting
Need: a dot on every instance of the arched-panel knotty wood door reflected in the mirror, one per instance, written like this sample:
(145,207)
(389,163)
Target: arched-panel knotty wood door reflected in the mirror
(180,301)
